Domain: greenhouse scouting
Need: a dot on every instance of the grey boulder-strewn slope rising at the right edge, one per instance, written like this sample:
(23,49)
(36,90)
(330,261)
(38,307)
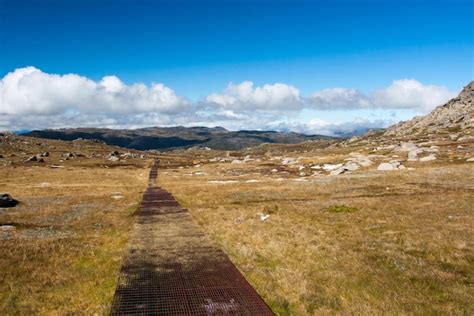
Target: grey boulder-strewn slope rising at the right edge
(456,116)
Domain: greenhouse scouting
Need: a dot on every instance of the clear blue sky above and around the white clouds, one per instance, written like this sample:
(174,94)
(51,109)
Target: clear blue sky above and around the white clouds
(196,48)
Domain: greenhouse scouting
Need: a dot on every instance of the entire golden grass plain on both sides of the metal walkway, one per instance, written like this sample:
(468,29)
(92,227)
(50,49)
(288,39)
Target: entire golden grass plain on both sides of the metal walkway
(366,242)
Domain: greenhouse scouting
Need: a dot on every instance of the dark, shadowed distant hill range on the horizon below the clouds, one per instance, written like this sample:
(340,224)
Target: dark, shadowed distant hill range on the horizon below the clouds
(169,138)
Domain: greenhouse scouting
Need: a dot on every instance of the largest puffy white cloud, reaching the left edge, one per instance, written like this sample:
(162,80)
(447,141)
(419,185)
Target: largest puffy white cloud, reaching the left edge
(28,90)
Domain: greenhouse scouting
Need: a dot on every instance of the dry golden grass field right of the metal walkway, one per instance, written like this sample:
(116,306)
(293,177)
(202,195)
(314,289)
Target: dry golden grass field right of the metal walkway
(363,243)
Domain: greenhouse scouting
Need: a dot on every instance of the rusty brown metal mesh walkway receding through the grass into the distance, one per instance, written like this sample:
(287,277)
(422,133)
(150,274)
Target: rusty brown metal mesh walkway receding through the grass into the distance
(173,269)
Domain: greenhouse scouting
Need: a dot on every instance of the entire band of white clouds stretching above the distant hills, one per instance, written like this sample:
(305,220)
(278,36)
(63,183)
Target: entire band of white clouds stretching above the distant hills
(33,99)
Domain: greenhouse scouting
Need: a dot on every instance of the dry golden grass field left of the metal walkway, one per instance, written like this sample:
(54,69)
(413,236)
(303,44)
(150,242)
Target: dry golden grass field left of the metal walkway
(66,251)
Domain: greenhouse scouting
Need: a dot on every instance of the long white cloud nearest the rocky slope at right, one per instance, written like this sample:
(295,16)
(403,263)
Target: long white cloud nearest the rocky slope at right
(401,94)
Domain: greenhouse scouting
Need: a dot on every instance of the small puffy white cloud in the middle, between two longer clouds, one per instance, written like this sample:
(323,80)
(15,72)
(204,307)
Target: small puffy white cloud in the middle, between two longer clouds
(244,96)
